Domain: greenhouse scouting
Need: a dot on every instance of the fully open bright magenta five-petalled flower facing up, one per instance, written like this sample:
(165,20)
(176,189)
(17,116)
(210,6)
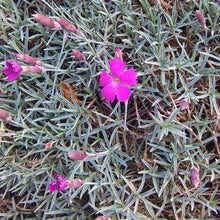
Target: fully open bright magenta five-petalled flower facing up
(116,83)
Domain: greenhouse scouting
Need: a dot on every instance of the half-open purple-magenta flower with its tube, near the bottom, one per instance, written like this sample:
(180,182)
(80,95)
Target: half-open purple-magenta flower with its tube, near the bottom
(62,183)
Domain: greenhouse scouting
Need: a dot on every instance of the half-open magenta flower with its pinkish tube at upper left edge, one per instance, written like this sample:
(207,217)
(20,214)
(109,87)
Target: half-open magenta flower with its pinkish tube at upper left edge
(14,70)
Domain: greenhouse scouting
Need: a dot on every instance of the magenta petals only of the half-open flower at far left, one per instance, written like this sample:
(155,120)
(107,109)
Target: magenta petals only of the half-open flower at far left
(13,70)
